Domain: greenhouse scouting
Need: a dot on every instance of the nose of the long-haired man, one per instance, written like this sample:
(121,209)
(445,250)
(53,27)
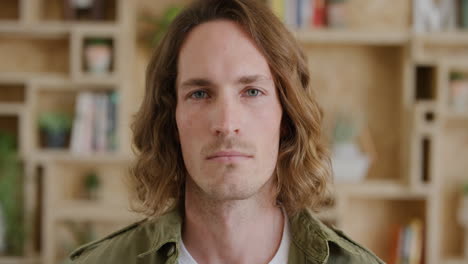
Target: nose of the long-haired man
(225,117)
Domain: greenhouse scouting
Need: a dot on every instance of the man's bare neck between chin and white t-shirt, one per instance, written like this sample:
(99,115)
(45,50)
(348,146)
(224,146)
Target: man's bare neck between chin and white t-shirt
(235,231)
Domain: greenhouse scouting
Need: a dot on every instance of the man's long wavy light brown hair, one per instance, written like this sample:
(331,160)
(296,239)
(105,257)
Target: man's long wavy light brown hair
(303,170)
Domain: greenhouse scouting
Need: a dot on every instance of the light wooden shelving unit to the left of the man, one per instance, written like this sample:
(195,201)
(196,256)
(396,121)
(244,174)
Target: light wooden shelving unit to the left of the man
(43,69)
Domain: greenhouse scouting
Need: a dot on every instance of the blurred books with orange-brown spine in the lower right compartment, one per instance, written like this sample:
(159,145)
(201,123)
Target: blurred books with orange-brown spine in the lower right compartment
(408,244)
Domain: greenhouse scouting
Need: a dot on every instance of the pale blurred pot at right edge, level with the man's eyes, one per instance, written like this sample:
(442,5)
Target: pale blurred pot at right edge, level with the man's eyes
(459,92)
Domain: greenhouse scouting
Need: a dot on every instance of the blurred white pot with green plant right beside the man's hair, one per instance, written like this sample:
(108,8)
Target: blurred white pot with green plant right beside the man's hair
(352,150)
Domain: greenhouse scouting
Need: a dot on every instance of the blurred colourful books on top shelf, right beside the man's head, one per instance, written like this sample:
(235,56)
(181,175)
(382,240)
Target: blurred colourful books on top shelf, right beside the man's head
(300,13)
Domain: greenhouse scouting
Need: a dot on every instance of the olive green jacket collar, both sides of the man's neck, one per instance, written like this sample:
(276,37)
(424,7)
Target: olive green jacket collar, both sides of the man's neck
(308,233)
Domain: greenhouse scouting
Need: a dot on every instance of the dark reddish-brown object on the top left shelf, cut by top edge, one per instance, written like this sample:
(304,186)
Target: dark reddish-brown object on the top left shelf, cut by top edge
(84,9)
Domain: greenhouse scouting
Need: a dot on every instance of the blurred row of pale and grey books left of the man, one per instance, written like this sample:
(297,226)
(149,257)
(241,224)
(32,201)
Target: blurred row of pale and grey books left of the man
(94,127)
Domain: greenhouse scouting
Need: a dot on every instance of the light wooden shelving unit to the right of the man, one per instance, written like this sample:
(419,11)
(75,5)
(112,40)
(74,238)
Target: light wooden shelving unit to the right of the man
(400,80)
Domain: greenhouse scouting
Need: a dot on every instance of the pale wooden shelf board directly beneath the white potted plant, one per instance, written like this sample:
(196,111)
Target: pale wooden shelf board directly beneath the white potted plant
(381,189)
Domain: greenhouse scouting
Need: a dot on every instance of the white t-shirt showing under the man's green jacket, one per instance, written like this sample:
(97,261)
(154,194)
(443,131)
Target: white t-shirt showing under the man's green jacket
(280,257)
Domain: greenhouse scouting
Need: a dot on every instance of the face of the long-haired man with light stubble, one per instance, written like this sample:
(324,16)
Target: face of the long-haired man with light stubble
(228,113)
